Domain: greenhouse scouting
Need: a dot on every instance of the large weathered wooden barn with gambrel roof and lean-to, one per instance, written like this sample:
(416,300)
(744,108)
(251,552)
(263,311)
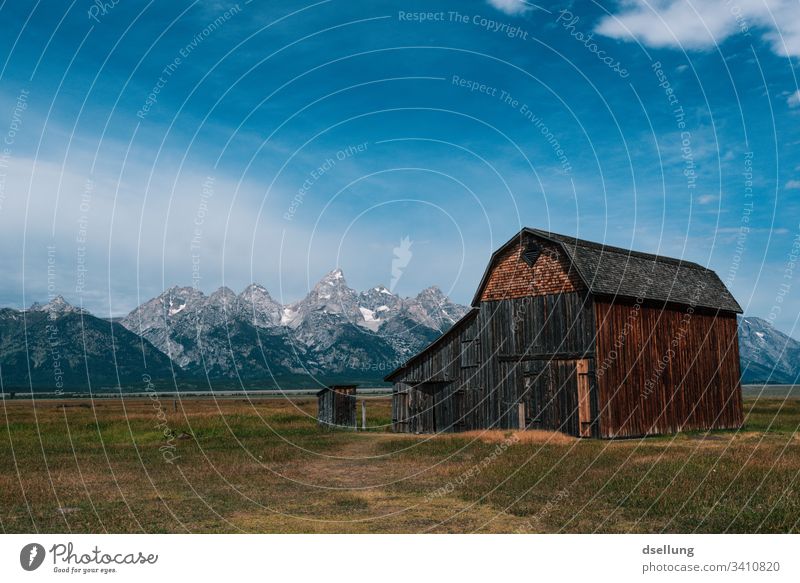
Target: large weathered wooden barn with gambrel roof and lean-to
(582,338)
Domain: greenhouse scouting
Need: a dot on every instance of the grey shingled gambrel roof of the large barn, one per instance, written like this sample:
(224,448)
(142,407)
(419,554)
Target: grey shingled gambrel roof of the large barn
(615,271)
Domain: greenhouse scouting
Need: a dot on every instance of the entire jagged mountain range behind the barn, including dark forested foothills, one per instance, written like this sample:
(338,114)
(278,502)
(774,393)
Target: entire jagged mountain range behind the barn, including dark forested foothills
(333,334)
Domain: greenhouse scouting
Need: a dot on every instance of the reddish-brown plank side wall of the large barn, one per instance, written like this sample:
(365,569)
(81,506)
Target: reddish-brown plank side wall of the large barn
(662,369)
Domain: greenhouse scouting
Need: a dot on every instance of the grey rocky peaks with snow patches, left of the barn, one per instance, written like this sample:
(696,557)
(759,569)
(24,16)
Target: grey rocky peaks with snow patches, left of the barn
(199,331)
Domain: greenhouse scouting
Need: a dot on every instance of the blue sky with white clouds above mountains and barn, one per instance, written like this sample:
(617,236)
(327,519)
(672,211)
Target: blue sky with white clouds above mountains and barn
(288,138)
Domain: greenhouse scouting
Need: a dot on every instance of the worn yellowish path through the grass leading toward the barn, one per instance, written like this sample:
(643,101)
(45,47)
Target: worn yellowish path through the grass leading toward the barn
(358,489)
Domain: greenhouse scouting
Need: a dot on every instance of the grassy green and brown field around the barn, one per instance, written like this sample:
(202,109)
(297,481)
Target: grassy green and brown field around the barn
(265,466)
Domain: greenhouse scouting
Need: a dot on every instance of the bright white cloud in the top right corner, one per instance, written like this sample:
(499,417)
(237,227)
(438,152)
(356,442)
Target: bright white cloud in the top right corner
(701,24)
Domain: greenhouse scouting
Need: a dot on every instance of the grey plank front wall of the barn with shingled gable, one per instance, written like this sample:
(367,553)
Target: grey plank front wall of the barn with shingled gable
(474,378)
